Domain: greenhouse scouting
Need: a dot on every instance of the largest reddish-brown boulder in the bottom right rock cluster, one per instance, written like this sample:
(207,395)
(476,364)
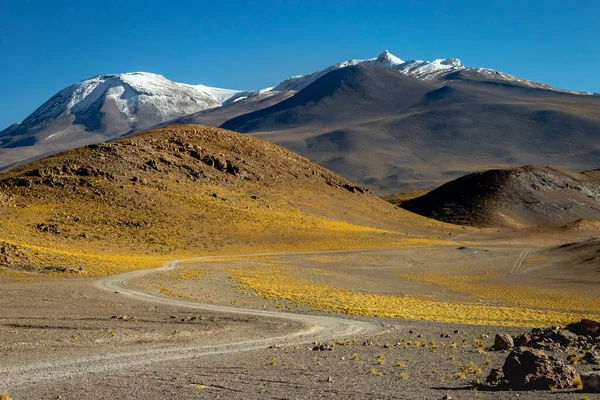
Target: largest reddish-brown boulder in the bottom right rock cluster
(530,369)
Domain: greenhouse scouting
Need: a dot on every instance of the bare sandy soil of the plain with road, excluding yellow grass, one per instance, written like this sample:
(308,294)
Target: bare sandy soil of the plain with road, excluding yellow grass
(119,337)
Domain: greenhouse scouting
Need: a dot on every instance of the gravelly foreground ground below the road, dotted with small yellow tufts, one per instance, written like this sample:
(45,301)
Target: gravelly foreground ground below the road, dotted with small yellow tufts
(383,366)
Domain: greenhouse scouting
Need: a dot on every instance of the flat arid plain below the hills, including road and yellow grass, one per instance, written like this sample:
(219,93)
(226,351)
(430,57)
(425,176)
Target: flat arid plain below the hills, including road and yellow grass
(412,322)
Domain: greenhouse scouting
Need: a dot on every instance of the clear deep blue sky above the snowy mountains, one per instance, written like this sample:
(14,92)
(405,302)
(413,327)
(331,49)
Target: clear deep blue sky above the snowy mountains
(48,45)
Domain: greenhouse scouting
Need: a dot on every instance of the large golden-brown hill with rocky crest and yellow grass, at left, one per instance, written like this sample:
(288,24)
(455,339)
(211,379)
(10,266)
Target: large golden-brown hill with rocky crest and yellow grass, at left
(184,190)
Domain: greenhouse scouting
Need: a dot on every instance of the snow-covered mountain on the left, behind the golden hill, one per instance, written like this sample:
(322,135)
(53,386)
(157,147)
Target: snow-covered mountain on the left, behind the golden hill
(104,107)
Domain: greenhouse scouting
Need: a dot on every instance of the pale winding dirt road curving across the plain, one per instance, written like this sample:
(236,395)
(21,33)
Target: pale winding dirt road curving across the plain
(317,328)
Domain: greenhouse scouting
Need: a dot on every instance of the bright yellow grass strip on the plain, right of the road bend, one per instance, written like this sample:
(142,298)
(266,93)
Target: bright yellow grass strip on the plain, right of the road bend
(276,283)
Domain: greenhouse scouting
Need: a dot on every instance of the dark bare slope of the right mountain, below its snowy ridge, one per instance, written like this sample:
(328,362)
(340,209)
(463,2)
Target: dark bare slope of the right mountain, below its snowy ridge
(393,132)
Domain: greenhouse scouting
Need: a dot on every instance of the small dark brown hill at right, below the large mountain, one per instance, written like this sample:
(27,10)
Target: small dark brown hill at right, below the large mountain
(518,197)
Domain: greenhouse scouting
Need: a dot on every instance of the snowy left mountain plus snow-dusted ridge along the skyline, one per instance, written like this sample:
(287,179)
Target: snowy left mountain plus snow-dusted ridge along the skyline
(108,106)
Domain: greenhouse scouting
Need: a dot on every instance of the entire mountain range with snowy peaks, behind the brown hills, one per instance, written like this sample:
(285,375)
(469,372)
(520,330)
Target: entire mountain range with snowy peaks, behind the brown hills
(404,125)
